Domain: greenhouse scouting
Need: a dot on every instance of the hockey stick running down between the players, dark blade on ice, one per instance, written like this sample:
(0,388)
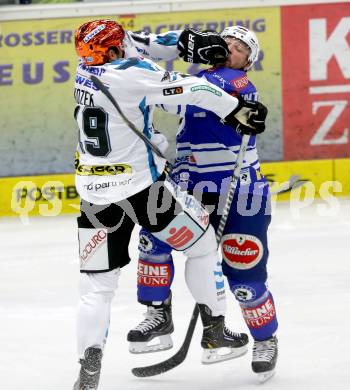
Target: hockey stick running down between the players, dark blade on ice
(180,356)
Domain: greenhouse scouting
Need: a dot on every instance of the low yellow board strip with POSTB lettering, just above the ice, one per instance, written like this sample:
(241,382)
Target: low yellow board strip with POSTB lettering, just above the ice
(54,195)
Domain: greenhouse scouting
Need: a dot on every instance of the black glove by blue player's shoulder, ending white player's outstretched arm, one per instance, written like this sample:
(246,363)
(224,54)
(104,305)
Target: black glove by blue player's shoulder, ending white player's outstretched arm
(248,117)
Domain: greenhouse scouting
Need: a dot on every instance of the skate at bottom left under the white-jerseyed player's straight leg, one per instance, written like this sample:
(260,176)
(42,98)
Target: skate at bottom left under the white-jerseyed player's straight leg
(90,370)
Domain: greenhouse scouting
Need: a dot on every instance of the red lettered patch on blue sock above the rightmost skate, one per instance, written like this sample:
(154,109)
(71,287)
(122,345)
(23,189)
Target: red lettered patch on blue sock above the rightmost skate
(259,316)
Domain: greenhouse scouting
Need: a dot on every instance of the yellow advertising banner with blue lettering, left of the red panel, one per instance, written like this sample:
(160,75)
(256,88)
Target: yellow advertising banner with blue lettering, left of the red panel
(37,65)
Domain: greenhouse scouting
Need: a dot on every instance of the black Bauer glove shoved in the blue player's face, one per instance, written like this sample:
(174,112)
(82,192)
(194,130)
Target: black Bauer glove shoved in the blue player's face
(205,47)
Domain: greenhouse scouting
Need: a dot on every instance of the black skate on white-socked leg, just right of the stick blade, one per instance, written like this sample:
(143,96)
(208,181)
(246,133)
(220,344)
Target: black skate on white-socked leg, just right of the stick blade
(218,342)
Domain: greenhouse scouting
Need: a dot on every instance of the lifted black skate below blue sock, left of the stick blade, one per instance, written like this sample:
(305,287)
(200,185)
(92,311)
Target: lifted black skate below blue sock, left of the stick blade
(153,333)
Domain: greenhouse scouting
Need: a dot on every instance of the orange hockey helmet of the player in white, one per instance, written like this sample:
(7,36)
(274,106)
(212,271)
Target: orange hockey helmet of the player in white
(93,39)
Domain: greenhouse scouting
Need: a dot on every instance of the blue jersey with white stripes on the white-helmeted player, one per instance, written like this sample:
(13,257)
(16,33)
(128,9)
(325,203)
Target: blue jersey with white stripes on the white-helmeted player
(207,148)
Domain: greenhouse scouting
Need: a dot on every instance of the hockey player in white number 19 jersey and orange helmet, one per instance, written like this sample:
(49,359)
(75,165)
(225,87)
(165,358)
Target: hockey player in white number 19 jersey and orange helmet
(122,182)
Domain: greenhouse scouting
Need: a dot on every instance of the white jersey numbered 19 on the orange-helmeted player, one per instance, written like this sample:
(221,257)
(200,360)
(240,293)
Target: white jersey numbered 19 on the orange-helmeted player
(114,163)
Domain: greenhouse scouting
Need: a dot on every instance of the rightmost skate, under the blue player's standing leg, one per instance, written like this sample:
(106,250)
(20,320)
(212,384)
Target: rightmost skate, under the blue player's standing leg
(265,358)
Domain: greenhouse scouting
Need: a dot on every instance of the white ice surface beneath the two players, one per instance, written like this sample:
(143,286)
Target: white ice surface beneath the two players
(309,272)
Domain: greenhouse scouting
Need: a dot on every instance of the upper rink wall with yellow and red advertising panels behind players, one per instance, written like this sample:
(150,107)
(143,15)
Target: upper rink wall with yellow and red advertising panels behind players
(307,94)
